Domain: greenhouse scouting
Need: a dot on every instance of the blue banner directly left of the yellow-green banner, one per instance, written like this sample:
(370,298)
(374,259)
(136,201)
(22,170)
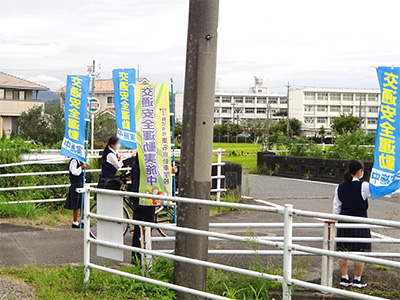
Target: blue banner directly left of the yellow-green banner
(124,82)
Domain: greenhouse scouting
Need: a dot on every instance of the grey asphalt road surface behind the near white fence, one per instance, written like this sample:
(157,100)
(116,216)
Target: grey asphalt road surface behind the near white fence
(20,245)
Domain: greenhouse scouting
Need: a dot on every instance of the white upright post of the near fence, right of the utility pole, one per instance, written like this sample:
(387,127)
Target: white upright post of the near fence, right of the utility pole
(287,252)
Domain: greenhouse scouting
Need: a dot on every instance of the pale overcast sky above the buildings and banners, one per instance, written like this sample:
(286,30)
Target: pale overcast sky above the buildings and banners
(309,43)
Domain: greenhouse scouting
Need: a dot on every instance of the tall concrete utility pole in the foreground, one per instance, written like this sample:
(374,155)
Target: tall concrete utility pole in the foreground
(197,138)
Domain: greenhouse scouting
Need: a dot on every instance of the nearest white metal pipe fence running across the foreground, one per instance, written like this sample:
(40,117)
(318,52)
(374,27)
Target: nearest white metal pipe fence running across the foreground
(286,244)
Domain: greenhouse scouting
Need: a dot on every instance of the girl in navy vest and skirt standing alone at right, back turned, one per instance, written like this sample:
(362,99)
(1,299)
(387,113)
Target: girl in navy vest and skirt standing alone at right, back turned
(351,199)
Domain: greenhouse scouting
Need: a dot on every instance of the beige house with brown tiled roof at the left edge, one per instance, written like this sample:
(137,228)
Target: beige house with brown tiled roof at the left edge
(16,96)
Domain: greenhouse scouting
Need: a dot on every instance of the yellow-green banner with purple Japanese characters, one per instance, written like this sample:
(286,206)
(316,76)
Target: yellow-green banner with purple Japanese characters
(154,140)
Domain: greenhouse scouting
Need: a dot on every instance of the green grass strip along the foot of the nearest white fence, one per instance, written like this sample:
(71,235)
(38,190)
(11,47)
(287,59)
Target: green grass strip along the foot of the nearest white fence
(66,283)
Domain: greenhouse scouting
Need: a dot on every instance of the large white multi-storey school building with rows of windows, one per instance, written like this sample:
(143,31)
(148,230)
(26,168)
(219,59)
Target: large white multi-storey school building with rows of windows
(314,107)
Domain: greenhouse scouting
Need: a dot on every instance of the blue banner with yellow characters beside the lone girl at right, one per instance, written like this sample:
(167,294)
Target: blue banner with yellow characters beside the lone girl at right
(385,175)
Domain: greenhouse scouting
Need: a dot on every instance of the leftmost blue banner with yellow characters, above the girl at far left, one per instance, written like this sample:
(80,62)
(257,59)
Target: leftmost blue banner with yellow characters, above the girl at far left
(76,99)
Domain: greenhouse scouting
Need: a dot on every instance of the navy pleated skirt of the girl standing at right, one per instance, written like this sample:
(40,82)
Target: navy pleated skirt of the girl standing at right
(353,233)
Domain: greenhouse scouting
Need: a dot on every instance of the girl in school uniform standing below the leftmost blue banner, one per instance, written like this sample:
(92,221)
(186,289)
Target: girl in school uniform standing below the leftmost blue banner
(74,199)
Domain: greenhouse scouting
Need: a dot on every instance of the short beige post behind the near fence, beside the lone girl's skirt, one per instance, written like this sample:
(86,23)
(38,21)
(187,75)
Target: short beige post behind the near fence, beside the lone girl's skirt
(327,261)
